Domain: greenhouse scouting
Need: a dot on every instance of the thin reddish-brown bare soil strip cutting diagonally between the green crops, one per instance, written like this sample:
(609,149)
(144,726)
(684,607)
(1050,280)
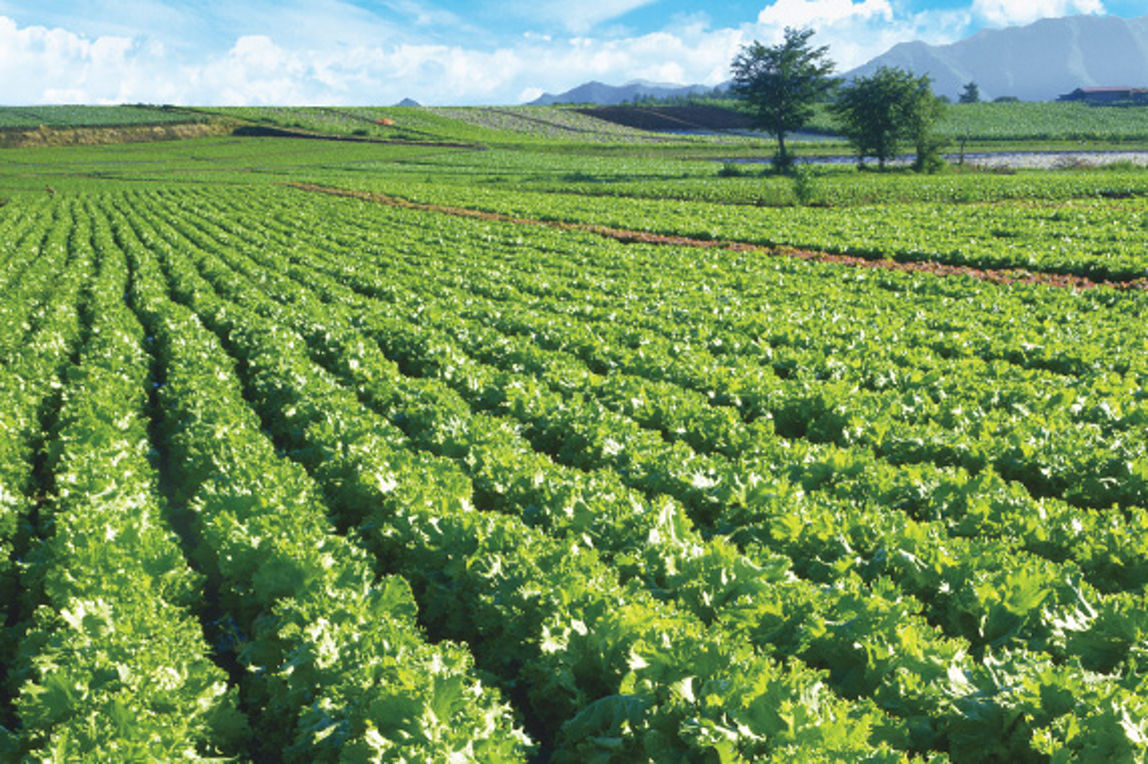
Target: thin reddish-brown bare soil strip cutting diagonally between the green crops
(995,276)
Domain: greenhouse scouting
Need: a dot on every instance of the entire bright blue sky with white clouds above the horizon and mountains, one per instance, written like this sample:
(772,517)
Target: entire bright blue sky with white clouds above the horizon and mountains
(440,52)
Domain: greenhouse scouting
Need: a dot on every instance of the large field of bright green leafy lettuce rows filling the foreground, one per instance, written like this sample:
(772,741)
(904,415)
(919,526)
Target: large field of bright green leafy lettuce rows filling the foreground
(296,477)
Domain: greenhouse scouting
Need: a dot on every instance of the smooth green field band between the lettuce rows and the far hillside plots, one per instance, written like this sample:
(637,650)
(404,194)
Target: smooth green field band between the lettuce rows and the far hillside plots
(685,173)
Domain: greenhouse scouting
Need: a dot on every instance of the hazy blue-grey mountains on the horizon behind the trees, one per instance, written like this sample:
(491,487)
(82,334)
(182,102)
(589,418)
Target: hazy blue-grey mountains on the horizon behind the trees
(1036,63)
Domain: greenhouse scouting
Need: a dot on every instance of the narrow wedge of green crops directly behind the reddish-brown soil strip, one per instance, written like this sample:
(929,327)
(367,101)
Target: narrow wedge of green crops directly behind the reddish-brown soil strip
(1098,239)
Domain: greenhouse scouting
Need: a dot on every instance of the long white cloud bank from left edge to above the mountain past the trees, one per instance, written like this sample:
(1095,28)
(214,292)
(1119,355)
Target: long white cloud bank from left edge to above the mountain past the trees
(41,65)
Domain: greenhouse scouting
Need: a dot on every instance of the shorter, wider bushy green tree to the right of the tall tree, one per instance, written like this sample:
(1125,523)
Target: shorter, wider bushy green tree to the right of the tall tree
(880,112)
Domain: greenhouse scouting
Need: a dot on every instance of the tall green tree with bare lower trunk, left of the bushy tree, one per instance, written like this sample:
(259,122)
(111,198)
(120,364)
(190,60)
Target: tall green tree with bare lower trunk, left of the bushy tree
(780,84)
